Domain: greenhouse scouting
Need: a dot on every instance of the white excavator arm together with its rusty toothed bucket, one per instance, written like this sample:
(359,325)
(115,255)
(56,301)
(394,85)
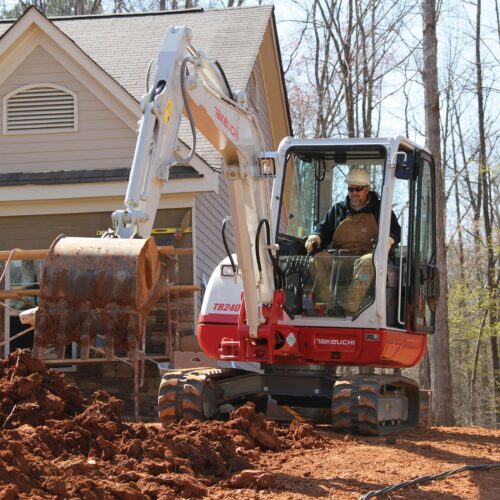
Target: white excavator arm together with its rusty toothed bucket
(105,287)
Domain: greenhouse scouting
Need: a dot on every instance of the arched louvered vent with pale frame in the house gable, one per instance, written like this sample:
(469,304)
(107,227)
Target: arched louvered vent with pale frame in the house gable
(40,108)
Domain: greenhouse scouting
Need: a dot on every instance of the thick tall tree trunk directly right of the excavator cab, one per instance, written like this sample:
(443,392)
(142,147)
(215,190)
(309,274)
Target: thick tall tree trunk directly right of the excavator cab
(442,407)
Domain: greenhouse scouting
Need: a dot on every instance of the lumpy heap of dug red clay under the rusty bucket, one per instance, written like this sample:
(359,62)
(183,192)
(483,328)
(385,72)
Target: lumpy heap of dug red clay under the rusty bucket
(53,441)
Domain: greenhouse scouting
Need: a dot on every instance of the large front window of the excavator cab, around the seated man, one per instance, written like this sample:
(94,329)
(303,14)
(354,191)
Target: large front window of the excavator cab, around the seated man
(339,283)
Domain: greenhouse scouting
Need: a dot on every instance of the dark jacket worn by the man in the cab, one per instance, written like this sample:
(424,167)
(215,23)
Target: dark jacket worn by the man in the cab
(326,228)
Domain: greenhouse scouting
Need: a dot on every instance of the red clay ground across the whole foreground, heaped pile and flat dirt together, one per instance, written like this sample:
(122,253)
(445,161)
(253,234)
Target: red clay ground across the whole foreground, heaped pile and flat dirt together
(56,444)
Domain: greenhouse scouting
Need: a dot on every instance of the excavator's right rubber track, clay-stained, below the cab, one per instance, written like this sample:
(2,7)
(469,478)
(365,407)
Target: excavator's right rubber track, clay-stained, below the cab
(355,403)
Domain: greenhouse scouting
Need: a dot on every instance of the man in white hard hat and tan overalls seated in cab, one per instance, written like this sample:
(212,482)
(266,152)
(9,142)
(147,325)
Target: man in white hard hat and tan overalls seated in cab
(352,225)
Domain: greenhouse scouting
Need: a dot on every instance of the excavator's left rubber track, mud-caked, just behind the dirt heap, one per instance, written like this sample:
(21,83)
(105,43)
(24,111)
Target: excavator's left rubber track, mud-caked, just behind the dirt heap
(181,393)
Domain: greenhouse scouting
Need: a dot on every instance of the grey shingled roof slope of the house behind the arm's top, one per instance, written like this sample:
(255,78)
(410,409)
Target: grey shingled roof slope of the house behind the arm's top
(124,44)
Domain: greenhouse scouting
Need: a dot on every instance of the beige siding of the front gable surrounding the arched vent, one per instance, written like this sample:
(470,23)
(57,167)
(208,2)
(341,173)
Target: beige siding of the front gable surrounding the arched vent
(102,140)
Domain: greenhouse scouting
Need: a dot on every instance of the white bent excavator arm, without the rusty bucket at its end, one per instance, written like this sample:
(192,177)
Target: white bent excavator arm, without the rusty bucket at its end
(187,80)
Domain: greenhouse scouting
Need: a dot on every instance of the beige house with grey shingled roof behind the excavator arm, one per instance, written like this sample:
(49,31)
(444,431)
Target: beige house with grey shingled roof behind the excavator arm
(69,95)
